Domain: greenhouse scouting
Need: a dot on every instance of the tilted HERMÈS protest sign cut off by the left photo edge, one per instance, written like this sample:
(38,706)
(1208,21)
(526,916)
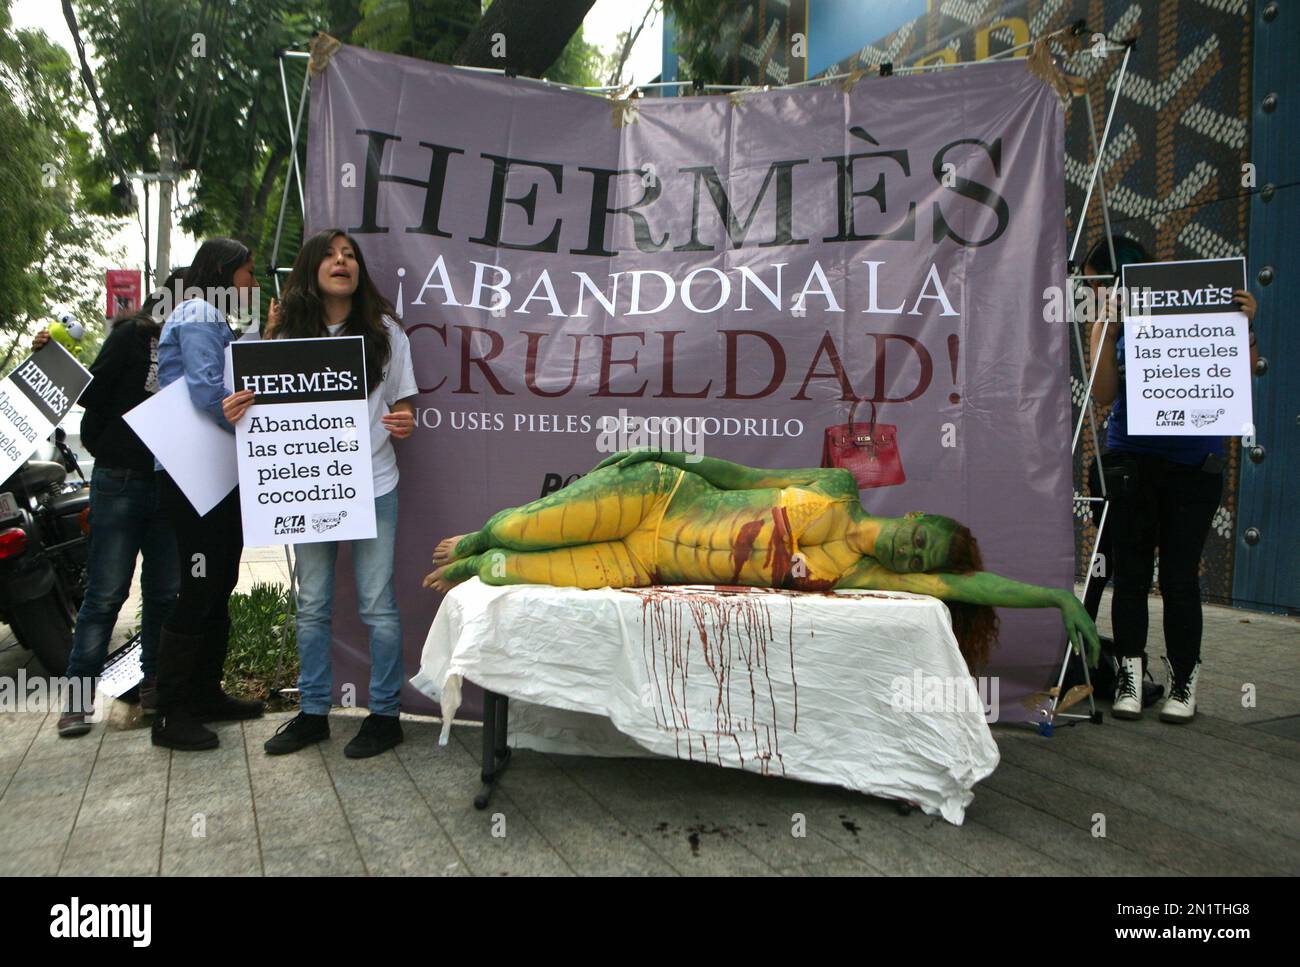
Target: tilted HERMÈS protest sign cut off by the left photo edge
(34,398)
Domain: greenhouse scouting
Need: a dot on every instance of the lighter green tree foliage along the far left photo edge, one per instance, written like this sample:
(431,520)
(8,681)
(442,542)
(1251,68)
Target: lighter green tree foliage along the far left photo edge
(54,254)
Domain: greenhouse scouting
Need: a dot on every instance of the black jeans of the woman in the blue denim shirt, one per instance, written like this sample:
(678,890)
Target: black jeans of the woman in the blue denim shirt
(209,549)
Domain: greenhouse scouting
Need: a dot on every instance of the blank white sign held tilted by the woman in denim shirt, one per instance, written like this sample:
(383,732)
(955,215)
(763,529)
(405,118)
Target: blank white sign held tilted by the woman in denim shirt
(197,453)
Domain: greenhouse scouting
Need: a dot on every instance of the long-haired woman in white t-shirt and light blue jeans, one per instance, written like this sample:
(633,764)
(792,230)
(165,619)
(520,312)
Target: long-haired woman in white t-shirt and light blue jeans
(330,293)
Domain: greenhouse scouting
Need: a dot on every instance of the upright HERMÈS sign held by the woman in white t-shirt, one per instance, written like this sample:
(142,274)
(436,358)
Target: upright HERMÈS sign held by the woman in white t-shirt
(305,444)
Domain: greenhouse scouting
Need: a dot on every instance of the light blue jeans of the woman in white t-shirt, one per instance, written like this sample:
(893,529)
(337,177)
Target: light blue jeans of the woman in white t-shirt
(372,563)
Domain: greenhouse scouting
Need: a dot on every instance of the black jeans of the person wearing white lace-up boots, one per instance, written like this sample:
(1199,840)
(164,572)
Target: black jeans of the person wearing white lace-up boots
(1160,505)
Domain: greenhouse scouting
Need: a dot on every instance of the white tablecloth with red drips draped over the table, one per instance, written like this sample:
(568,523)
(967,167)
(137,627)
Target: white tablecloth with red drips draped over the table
(847,688)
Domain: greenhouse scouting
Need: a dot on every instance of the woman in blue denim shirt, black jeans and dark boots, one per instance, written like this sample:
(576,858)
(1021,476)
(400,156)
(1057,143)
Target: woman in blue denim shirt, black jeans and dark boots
(193,648)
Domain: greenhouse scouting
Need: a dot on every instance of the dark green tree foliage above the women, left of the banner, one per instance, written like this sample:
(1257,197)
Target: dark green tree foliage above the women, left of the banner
(197,84)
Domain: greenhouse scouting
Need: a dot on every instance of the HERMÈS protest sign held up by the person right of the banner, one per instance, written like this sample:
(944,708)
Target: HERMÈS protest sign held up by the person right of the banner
(1188,350)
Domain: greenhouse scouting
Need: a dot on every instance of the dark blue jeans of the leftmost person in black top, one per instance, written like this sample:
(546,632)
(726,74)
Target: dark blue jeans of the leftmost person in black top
(125,521)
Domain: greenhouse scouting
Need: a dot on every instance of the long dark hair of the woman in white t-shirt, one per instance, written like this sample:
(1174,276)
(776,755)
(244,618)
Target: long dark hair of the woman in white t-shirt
(304,309)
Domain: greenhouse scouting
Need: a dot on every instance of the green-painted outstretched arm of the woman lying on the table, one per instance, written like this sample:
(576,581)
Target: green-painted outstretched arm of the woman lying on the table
(983,588)
